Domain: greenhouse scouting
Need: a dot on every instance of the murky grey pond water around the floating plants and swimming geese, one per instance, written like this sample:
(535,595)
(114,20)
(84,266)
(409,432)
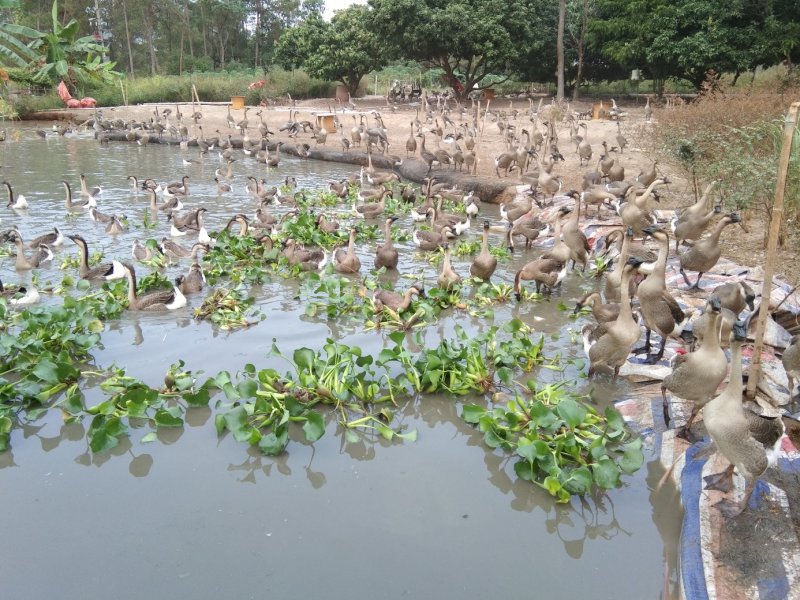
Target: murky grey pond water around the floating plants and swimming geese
(192,515)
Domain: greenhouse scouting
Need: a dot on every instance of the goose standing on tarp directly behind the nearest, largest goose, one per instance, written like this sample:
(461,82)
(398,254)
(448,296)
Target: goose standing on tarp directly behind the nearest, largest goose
(695,376)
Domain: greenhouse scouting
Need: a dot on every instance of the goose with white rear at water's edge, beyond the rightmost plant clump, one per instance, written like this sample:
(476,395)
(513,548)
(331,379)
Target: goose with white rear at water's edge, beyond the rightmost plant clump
(609,344)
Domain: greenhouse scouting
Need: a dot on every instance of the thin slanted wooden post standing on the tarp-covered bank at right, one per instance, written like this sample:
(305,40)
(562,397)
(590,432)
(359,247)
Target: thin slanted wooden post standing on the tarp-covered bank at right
(789,127)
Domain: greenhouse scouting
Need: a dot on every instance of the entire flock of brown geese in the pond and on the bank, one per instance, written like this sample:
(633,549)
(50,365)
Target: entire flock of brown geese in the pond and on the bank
(547,226)
